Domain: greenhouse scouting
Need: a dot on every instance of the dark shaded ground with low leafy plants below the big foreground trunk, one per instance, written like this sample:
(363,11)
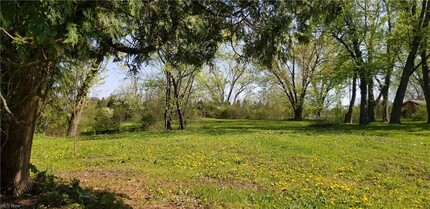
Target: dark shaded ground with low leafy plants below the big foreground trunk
(50,191)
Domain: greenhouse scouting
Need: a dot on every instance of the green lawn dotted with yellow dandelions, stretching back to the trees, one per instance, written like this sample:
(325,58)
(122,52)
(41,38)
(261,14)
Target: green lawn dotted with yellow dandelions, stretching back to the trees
(251,164)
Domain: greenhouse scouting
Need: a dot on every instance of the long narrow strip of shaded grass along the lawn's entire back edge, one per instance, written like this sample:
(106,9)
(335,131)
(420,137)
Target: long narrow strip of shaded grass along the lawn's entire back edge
(217,127)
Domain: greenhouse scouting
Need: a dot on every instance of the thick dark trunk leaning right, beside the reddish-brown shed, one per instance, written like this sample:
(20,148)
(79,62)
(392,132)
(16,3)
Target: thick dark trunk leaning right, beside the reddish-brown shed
(401,90)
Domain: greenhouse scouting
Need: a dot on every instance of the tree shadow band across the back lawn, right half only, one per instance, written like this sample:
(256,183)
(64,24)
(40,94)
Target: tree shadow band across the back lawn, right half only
(221,127)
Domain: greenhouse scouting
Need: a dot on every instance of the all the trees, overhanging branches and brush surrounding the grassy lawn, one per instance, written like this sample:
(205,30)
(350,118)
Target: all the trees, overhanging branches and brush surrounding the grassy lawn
(223,59)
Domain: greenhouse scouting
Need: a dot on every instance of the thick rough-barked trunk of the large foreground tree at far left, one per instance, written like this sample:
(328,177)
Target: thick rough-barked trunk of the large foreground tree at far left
(17,135)
